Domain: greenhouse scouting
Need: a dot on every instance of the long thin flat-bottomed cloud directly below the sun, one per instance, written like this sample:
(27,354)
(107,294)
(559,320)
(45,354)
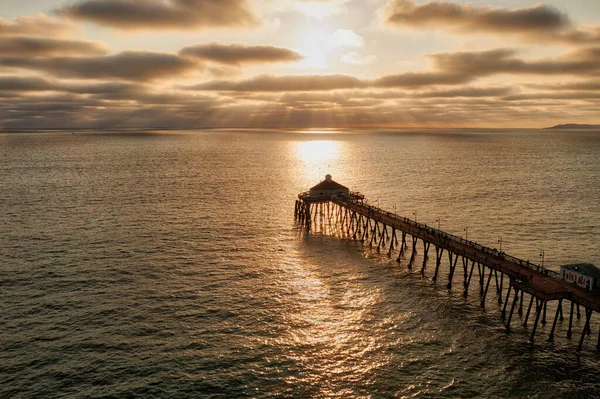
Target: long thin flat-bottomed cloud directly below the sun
(268,83)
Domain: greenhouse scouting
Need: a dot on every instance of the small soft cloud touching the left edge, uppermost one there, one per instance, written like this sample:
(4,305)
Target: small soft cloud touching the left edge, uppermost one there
(38,25)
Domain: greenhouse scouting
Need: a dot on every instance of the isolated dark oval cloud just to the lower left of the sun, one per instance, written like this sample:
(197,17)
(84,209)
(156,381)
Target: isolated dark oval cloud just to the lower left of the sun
(240,54)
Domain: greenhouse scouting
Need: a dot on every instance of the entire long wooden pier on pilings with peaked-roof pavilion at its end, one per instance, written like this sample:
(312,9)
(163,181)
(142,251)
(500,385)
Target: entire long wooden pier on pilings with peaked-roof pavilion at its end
(518,286)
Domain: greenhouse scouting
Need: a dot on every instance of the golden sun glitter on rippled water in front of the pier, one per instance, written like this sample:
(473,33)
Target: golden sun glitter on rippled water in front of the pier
(330,338)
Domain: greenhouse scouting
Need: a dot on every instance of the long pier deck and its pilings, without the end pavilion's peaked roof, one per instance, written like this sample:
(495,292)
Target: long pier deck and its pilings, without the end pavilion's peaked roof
(355,219)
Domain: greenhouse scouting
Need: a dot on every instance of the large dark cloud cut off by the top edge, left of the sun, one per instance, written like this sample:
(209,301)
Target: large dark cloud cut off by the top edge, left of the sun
(163,14)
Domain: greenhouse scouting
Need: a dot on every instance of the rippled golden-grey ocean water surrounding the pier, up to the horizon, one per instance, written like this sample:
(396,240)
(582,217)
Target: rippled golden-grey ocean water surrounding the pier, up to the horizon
(167,264)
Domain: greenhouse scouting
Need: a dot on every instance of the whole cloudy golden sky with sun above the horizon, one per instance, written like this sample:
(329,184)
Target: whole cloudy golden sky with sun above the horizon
(189,64)
